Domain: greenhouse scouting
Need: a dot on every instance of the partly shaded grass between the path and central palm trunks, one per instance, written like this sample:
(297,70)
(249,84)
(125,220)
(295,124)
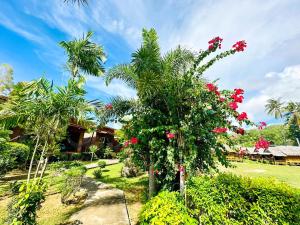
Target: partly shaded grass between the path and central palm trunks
(134,188)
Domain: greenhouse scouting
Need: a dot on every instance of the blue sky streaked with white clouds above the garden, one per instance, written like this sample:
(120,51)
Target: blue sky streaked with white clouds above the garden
(30,31)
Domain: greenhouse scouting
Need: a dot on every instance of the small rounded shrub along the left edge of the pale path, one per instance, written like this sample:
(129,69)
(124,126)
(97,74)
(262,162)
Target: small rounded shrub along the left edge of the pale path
(72,180)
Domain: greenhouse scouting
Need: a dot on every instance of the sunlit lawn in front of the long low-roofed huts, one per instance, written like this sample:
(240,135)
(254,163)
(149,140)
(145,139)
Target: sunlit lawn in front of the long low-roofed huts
(287,174)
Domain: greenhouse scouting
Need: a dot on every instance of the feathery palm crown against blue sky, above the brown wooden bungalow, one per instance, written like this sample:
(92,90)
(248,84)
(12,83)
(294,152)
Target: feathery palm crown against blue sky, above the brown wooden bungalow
(84,56)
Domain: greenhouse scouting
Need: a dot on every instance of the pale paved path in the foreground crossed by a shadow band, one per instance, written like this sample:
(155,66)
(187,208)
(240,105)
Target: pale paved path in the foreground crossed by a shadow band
(105,205)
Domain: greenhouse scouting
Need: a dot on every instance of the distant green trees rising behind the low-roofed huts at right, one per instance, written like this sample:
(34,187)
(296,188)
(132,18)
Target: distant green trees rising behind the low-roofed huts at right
(276,134)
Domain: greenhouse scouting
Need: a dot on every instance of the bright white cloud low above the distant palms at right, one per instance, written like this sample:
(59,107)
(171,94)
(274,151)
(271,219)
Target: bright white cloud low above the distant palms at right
(284,85)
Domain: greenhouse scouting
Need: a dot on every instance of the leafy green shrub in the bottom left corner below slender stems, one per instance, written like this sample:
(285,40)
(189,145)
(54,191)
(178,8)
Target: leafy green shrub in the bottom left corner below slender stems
(24,206)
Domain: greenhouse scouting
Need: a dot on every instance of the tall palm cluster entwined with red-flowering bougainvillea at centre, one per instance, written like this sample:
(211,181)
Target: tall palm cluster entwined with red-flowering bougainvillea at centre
(171,117)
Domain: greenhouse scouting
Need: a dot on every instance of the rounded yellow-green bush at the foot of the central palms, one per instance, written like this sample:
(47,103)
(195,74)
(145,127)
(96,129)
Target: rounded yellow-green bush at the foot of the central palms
(167,208)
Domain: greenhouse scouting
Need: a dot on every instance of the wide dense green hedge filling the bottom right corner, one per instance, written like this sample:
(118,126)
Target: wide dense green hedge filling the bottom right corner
(229,199)
